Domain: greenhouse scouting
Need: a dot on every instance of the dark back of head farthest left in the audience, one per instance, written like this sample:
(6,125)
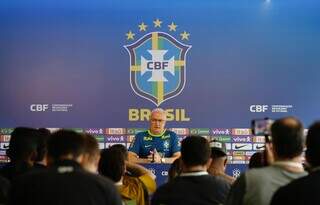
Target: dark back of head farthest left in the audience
(23,143)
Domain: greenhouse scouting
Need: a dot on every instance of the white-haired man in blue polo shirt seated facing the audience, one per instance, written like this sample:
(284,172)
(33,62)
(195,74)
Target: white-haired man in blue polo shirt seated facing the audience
(156,144)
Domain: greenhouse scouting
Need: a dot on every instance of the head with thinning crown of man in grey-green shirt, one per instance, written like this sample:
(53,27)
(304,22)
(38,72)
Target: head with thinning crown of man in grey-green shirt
(287,137)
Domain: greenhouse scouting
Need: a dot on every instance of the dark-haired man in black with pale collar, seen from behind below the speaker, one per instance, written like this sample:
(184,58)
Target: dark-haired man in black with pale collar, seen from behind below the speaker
(194,185)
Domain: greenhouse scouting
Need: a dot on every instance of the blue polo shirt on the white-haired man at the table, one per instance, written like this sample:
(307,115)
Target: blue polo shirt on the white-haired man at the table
(166,143)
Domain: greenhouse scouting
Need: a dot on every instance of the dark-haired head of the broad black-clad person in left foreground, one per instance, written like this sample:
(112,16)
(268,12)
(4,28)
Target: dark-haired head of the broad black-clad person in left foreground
(65,142)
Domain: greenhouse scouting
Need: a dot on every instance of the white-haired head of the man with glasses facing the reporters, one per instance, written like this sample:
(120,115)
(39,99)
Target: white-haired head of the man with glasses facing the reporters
(157,121)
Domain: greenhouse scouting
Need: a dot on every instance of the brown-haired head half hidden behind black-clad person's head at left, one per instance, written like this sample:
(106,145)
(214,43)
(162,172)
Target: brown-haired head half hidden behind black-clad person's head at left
(91,154)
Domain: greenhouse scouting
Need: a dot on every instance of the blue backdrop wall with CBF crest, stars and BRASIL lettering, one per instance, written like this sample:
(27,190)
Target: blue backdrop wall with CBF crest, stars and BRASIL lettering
(211,64)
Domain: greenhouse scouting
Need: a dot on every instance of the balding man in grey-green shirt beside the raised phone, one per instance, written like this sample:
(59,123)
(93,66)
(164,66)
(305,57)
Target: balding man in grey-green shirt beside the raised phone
(257,186)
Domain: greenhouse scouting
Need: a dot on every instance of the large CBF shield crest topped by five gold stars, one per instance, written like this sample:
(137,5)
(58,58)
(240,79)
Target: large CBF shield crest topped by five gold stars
(158,61)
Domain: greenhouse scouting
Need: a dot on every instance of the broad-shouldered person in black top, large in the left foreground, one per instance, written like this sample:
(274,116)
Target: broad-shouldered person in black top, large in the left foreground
(65,181)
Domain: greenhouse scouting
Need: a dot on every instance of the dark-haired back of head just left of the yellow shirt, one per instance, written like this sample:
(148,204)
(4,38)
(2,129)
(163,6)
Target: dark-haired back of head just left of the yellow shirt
(112,164)
